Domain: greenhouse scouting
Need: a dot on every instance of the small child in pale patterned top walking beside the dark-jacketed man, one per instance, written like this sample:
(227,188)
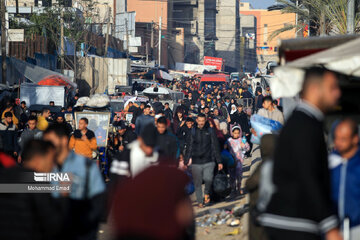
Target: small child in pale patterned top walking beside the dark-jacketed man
(238,146)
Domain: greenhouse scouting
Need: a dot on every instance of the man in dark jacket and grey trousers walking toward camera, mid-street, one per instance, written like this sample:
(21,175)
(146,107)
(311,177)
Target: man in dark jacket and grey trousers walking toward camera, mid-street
(203,154)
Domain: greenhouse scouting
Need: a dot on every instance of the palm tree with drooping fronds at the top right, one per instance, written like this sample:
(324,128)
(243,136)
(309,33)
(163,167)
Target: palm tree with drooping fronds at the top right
(326,17)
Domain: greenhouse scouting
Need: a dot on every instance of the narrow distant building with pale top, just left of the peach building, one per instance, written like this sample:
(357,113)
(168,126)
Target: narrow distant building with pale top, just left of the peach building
(248,60)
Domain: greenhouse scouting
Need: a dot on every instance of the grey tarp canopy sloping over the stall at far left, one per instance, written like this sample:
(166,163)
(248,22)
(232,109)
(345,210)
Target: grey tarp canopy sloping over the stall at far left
(35,73)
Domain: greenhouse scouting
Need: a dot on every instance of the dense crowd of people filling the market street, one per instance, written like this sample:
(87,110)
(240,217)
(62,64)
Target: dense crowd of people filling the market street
(166,147)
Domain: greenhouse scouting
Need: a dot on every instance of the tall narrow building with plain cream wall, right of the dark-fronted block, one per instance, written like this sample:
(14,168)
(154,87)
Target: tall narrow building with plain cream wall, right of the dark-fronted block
(228,34)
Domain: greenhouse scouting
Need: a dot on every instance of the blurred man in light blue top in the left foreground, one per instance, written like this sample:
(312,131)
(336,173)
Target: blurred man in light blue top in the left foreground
(87,189)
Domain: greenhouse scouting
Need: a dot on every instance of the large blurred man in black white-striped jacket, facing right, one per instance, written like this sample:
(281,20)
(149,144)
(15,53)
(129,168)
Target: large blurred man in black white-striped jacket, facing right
(300,206)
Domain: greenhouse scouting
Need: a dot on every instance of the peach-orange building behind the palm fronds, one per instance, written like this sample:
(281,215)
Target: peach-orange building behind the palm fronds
(267,23)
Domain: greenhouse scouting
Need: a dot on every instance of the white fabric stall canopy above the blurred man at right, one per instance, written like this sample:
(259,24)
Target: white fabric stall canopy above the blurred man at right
(344,59)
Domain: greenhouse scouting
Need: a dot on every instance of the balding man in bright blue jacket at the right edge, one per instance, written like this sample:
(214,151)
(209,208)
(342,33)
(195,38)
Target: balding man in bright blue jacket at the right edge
(345,174)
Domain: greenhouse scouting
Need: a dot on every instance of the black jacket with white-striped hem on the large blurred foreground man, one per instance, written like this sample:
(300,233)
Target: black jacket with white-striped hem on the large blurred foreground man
(301,176)
